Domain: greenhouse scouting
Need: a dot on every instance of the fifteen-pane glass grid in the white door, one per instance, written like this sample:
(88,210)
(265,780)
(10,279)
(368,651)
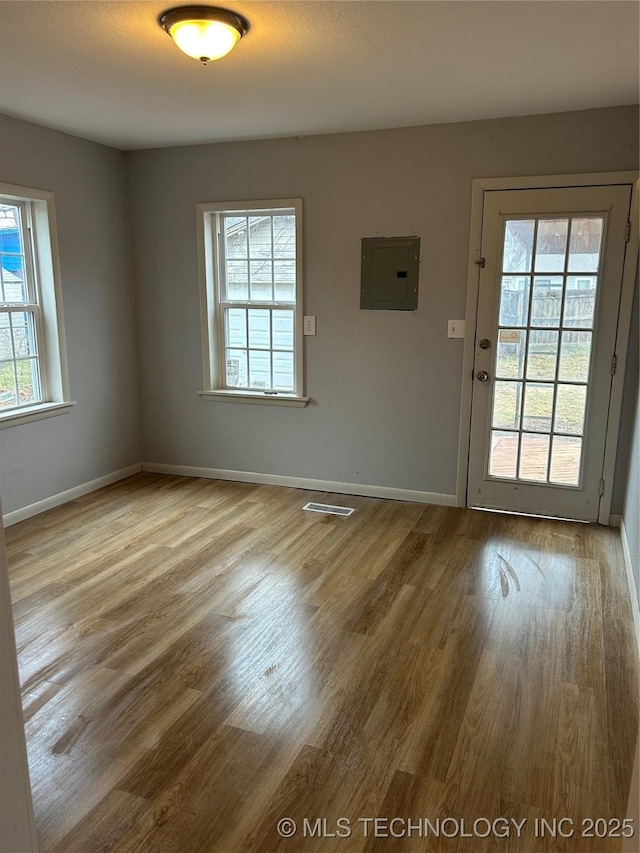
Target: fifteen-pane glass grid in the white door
(544,348)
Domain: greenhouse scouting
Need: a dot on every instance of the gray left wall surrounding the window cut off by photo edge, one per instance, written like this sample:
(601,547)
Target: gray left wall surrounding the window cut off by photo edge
(102,432)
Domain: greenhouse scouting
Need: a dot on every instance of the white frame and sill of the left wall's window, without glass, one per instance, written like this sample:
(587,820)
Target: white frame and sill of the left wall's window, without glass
(44,283)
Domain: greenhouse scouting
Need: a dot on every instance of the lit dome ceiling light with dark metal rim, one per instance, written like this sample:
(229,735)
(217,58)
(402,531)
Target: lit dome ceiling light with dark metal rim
(204,32)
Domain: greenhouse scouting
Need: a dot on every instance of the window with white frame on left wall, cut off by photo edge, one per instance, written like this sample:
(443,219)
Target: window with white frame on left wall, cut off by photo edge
(33,381)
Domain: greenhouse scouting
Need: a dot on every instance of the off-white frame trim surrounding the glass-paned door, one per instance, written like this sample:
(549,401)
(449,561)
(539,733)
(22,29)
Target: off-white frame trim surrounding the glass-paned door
(479,188)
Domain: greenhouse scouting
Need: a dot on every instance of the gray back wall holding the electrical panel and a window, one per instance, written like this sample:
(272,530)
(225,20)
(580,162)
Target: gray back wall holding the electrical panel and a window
(385,385)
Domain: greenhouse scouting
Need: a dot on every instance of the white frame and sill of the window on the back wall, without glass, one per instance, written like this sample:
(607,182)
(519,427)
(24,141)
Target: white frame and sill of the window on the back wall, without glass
(209,216)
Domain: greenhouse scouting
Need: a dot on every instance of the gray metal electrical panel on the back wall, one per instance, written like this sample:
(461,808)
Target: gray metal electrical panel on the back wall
(390,267)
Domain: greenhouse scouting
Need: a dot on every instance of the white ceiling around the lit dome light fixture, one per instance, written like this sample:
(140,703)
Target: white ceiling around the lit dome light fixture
(104,70)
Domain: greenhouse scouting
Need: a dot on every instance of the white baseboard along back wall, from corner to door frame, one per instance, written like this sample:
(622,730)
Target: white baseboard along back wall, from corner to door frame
(303,483)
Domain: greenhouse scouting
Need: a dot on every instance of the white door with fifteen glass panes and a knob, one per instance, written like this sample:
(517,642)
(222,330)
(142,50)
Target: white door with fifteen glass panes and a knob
(549,296)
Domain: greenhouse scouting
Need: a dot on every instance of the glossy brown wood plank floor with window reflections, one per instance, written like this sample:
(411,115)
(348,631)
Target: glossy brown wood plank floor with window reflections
(202,659)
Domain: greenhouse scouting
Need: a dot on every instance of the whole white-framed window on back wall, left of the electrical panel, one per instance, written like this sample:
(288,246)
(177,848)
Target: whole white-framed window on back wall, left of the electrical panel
(251,287)
